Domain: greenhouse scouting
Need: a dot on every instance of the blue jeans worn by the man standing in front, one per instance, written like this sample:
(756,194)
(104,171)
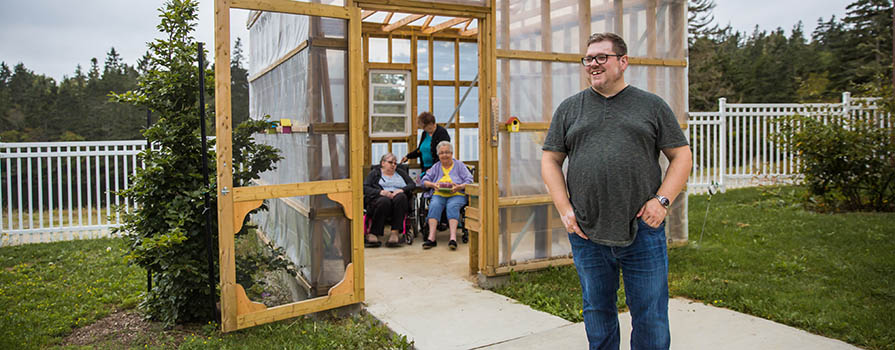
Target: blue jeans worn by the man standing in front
(644,266)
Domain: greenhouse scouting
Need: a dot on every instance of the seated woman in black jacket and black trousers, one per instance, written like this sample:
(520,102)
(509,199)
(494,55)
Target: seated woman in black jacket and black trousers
(386,196)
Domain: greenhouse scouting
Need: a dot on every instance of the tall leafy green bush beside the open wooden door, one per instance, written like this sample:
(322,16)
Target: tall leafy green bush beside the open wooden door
(166,232)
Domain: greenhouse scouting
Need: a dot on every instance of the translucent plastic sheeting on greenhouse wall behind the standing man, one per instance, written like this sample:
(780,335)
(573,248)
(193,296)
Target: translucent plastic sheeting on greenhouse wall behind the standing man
(651,28)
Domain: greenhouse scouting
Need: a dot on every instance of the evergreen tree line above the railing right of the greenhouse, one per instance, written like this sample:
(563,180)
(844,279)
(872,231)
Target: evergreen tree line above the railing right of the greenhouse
(854,54)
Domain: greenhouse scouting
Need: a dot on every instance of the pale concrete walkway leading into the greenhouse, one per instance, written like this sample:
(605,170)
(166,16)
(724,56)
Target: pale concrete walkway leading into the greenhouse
(426,296)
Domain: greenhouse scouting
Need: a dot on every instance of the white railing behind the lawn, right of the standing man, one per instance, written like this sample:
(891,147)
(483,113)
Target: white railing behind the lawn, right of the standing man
(733,147)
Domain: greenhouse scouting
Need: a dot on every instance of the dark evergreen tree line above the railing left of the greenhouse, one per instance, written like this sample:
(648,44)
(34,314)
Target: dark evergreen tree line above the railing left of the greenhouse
(35,107)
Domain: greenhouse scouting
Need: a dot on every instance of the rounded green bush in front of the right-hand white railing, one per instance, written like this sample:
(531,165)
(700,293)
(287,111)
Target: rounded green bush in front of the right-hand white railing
(848,163)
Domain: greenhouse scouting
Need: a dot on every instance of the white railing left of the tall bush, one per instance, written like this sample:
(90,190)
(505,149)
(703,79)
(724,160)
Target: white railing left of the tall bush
(52,191)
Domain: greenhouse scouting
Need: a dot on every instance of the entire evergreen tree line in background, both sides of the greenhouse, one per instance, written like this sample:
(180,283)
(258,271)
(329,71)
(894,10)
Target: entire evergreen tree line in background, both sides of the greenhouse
(854,53)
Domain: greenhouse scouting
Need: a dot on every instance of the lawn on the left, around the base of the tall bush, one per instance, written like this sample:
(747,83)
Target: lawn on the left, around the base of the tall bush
(49,290)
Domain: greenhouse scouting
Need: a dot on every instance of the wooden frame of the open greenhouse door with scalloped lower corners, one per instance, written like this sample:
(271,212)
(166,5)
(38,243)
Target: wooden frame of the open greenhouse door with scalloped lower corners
(237,311)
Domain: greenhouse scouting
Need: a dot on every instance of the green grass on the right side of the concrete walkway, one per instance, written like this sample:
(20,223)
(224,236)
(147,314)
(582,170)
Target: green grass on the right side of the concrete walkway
(762,254)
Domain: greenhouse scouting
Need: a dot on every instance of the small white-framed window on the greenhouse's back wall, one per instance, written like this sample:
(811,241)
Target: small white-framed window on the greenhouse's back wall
(389,103)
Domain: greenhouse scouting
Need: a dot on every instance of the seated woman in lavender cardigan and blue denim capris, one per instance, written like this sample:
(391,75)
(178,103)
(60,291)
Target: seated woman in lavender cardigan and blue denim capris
(446,181)
